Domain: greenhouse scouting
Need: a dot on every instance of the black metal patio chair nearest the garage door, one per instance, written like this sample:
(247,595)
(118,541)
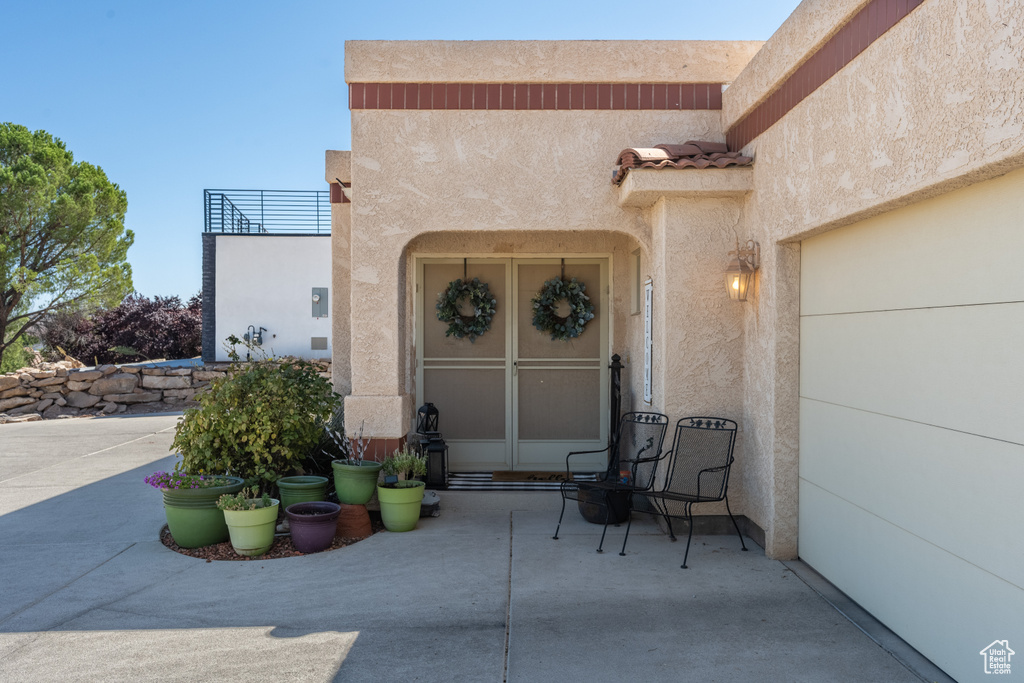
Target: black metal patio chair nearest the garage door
(698,473)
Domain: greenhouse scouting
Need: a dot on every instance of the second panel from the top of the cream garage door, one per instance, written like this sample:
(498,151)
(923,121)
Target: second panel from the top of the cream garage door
(949,367)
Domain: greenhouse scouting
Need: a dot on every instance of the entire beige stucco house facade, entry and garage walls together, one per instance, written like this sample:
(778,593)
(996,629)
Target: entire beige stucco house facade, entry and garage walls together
(932,106)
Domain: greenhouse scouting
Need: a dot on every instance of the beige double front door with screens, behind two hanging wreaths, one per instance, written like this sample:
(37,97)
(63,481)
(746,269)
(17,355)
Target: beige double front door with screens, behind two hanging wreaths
(516,399)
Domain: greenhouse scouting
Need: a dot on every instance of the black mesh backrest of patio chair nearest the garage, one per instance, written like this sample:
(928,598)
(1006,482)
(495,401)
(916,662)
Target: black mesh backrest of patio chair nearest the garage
(702,458)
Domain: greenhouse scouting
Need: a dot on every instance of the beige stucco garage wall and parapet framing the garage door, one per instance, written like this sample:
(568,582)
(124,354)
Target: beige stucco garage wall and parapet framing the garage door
(932,106)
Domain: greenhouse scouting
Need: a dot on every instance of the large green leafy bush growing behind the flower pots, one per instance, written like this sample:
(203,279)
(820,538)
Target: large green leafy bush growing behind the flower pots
(258,423)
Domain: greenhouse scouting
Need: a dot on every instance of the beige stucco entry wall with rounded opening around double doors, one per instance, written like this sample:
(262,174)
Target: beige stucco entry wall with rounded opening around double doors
(516,184)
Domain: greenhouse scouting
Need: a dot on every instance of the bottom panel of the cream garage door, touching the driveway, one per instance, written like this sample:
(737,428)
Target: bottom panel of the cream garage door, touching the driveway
(937,603)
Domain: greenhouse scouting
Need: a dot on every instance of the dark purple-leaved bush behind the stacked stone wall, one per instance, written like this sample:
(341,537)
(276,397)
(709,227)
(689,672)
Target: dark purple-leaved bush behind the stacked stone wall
(140,329)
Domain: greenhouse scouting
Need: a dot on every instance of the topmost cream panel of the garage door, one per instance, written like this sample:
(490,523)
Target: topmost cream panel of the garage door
(935,253)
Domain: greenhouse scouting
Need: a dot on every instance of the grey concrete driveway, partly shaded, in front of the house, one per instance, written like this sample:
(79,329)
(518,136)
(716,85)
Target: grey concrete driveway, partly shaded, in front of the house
(482,593)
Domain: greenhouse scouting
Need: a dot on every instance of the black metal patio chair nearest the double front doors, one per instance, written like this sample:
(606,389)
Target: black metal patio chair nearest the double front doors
(633,459)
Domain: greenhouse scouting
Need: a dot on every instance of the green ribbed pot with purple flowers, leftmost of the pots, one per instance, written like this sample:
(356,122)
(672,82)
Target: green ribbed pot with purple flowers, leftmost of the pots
(191,506)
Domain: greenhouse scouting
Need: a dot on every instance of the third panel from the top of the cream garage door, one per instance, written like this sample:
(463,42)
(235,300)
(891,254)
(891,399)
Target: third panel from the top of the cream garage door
(934,484)
